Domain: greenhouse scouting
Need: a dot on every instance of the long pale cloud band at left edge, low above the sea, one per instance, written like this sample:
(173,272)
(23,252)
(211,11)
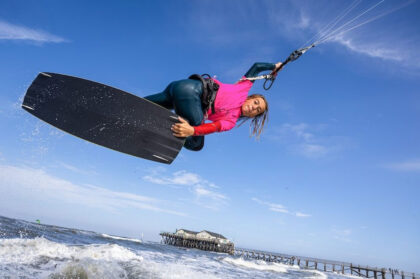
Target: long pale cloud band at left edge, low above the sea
(30,183)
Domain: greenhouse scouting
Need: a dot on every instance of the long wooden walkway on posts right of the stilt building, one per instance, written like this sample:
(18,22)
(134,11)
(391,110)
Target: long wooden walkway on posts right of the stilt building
(327,265)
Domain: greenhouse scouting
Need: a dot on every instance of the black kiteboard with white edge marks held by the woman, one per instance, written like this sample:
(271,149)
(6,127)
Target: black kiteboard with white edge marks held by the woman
(104,115)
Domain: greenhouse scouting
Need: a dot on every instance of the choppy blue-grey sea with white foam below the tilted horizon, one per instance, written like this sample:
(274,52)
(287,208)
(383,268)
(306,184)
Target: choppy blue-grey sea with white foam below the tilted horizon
(32,250)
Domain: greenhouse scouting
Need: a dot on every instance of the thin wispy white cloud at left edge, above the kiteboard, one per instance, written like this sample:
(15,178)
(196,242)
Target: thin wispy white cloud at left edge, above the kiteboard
(10,31)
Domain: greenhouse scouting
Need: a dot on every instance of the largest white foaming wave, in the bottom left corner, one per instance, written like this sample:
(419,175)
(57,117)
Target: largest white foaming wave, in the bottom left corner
(39,257)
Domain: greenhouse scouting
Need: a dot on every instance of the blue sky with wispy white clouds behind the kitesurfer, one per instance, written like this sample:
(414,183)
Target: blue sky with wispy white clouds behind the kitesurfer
(335,174)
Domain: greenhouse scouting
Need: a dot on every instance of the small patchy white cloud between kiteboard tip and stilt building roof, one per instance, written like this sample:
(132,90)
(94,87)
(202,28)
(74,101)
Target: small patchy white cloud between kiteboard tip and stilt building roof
(204,195)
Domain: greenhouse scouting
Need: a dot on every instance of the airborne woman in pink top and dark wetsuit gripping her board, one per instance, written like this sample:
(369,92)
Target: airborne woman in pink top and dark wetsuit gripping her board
(228,103)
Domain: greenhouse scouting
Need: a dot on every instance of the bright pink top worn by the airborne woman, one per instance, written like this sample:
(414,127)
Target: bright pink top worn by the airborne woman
(229,100)
